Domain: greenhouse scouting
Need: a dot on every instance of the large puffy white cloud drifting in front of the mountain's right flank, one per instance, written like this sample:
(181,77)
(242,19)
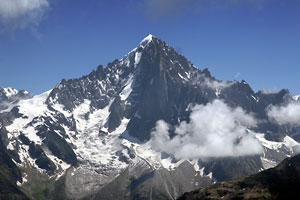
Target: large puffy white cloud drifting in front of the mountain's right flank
(214,130)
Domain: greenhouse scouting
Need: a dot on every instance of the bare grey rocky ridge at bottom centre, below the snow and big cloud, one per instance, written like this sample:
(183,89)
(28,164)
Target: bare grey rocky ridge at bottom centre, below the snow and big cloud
(134,182)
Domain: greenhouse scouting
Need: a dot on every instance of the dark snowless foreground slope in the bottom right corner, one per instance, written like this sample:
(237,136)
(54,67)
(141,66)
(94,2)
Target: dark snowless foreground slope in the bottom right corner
(280,182)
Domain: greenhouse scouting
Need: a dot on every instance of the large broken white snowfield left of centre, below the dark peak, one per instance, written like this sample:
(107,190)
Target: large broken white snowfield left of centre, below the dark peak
(95,149)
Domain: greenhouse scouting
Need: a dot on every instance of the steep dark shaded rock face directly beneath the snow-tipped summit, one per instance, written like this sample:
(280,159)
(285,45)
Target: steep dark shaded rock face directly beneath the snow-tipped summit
(159,92)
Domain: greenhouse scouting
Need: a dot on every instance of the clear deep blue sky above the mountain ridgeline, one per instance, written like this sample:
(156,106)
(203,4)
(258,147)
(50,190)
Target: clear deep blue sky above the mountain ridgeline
(44,41)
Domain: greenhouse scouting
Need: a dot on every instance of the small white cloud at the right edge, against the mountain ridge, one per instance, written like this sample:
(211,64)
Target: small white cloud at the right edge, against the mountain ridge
(286,114)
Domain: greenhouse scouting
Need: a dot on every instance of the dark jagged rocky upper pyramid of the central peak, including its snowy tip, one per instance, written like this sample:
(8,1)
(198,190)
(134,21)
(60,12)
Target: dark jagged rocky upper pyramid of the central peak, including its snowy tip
(151,77)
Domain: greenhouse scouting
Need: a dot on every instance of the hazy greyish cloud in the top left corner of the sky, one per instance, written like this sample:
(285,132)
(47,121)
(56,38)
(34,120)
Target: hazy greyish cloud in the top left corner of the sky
(21,14)
